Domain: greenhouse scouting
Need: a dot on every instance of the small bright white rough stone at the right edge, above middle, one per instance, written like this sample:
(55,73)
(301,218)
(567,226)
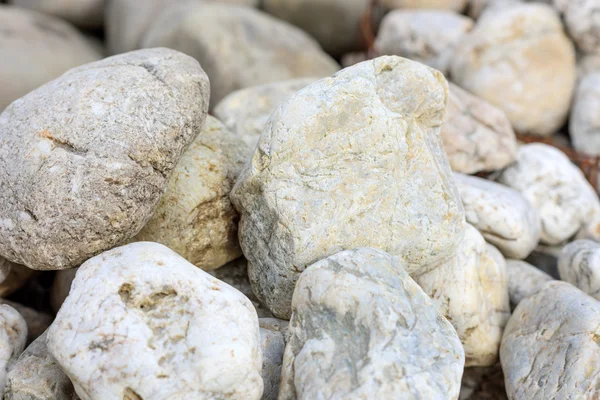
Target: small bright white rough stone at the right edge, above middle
(563,197)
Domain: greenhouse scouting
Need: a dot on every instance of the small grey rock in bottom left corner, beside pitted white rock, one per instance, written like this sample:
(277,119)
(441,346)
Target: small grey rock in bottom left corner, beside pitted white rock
(37,376)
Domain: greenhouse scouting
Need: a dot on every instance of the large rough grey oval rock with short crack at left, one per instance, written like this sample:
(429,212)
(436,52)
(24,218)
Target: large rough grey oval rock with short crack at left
(82,165)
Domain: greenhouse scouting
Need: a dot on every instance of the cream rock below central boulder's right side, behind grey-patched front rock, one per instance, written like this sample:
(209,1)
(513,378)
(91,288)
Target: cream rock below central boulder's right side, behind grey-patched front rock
(471,290)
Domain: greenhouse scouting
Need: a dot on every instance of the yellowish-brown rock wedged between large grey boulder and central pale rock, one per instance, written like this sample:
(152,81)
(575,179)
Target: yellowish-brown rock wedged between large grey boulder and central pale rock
(195,217)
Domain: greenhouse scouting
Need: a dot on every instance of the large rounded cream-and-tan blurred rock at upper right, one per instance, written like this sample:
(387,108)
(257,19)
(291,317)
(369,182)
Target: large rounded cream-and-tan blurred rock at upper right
(519,59)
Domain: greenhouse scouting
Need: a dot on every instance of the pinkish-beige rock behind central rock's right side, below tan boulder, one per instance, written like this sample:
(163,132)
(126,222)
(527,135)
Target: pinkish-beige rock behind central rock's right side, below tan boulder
(476,135)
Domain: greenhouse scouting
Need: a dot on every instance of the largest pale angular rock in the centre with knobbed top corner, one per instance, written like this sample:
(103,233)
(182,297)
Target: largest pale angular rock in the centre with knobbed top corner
(349,161)
